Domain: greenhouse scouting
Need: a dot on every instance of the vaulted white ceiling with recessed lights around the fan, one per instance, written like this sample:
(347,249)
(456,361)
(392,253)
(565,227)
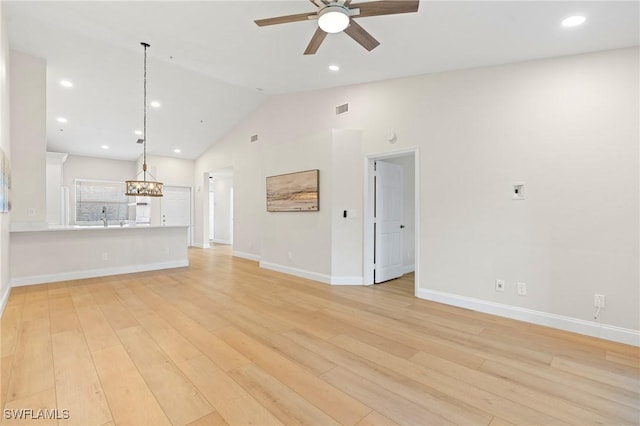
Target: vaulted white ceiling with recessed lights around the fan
(210,65)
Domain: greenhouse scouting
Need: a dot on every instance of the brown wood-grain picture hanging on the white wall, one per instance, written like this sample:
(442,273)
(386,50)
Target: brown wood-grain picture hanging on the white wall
(294,192)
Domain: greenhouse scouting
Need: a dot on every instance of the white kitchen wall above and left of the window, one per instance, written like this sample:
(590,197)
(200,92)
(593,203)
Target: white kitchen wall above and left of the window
(79,167)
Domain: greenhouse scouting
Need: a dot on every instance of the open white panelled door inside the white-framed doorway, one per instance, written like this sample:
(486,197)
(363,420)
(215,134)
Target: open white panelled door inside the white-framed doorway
(389,194)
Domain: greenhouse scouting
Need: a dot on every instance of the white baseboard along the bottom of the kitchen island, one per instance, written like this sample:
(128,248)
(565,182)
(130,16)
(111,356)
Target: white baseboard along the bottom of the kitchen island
(93,273)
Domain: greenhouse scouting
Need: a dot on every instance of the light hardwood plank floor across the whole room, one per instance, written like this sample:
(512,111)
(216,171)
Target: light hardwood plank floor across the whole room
(224,342)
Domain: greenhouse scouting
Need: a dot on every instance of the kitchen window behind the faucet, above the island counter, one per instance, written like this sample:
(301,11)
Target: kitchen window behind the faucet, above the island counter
(92,196)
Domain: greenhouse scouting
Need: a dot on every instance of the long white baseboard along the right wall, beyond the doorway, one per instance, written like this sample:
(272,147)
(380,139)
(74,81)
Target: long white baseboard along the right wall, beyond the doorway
(575,325)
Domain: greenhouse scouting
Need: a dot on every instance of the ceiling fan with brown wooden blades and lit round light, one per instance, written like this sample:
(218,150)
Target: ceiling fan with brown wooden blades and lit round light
(335,16)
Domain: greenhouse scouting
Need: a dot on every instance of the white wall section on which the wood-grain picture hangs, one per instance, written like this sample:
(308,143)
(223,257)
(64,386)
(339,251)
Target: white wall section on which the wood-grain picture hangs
(318,245)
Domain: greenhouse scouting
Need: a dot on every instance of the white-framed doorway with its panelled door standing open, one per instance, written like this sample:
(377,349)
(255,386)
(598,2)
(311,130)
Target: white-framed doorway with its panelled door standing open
(391,243)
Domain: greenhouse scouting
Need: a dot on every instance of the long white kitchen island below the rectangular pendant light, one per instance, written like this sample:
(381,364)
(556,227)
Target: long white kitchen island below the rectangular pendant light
(61,253)
